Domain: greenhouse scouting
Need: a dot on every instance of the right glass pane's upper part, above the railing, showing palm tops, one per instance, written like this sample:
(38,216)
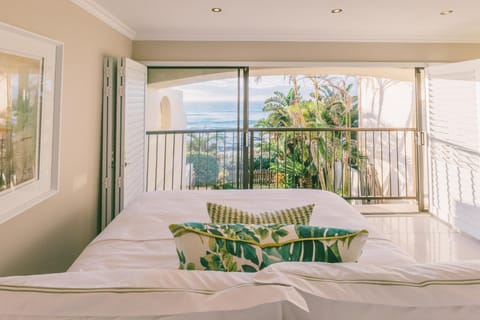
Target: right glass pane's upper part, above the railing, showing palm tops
(326,97)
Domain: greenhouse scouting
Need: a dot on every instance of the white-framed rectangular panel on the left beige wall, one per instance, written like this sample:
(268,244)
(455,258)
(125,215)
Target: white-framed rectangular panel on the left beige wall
(30,94)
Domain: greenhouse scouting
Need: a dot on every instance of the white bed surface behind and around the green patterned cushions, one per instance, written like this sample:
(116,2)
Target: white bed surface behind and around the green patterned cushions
(139,237)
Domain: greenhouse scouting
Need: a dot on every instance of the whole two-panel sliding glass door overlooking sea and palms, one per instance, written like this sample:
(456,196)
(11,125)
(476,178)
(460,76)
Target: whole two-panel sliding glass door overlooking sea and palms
(351,131)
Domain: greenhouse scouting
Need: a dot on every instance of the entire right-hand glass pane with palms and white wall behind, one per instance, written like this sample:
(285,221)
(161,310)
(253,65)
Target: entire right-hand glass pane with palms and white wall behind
(346,130)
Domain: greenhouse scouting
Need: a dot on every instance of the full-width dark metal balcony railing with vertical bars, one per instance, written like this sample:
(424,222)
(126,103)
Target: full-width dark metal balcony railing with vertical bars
(356,163)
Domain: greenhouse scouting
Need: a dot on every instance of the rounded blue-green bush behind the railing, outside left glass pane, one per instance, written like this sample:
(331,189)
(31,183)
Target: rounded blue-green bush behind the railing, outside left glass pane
(205,169)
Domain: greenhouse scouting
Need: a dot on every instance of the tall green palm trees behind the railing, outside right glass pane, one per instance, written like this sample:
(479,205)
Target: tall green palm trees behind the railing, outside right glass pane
(309,159)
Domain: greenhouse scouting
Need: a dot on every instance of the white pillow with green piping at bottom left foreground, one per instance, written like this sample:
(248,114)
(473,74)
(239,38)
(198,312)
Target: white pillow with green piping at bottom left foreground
(147,294)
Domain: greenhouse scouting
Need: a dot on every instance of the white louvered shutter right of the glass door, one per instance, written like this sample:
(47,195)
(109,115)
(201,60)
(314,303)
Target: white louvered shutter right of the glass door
(454,144)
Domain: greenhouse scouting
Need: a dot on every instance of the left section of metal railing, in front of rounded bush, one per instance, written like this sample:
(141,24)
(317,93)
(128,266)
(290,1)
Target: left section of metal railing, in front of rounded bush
(194,159)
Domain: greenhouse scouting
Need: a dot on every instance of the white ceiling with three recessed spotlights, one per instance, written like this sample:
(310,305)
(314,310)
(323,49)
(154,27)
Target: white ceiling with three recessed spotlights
(298,20)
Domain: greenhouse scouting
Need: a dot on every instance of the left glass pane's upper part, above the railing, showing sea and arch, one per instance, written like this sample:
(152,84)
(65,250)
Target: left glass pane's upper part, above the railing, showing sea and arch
(195,98)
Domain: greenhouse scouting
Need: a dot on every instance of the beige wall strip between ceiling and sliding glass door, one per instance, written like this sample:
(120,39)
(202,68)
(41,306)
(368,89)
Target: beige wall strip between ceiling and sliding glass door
(302,51)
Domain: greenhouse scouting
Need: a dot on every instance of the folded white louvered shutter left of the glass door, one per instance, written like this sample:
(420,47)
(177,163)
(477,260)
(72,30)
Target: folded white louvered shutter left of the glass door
(131,84)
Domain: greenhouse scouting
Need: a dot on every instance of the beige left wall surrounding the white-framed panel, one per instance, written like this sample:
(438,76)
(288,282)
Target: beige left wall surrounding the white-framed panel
(48,237)
